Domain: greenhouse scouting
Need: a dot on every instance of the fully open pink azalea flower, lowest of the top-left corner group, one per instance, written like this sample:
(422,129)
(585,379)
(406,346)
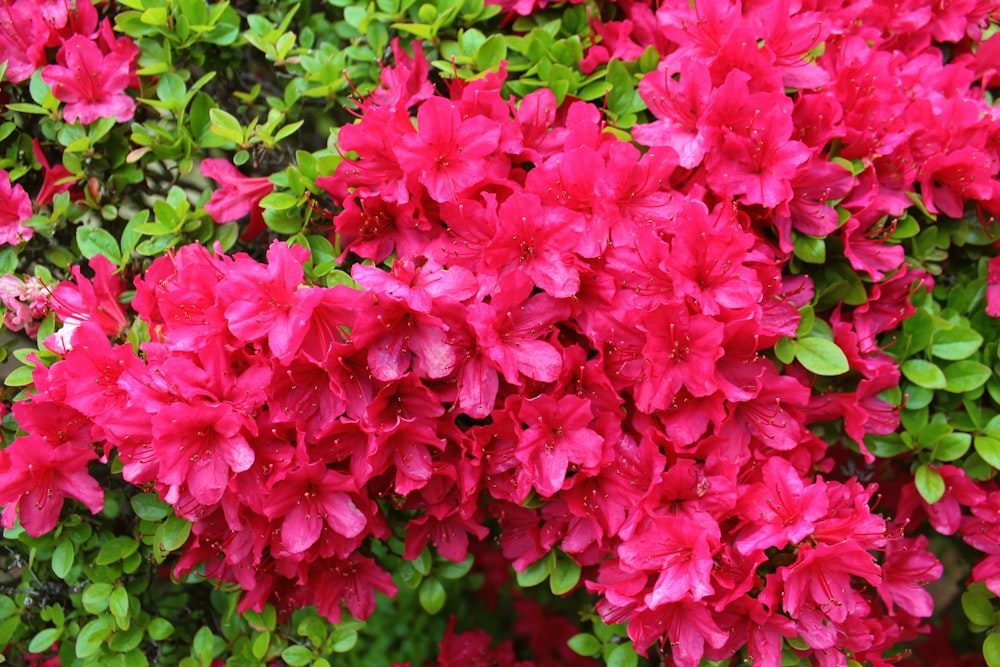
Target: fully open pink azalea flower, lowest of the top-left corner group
(90,82)
